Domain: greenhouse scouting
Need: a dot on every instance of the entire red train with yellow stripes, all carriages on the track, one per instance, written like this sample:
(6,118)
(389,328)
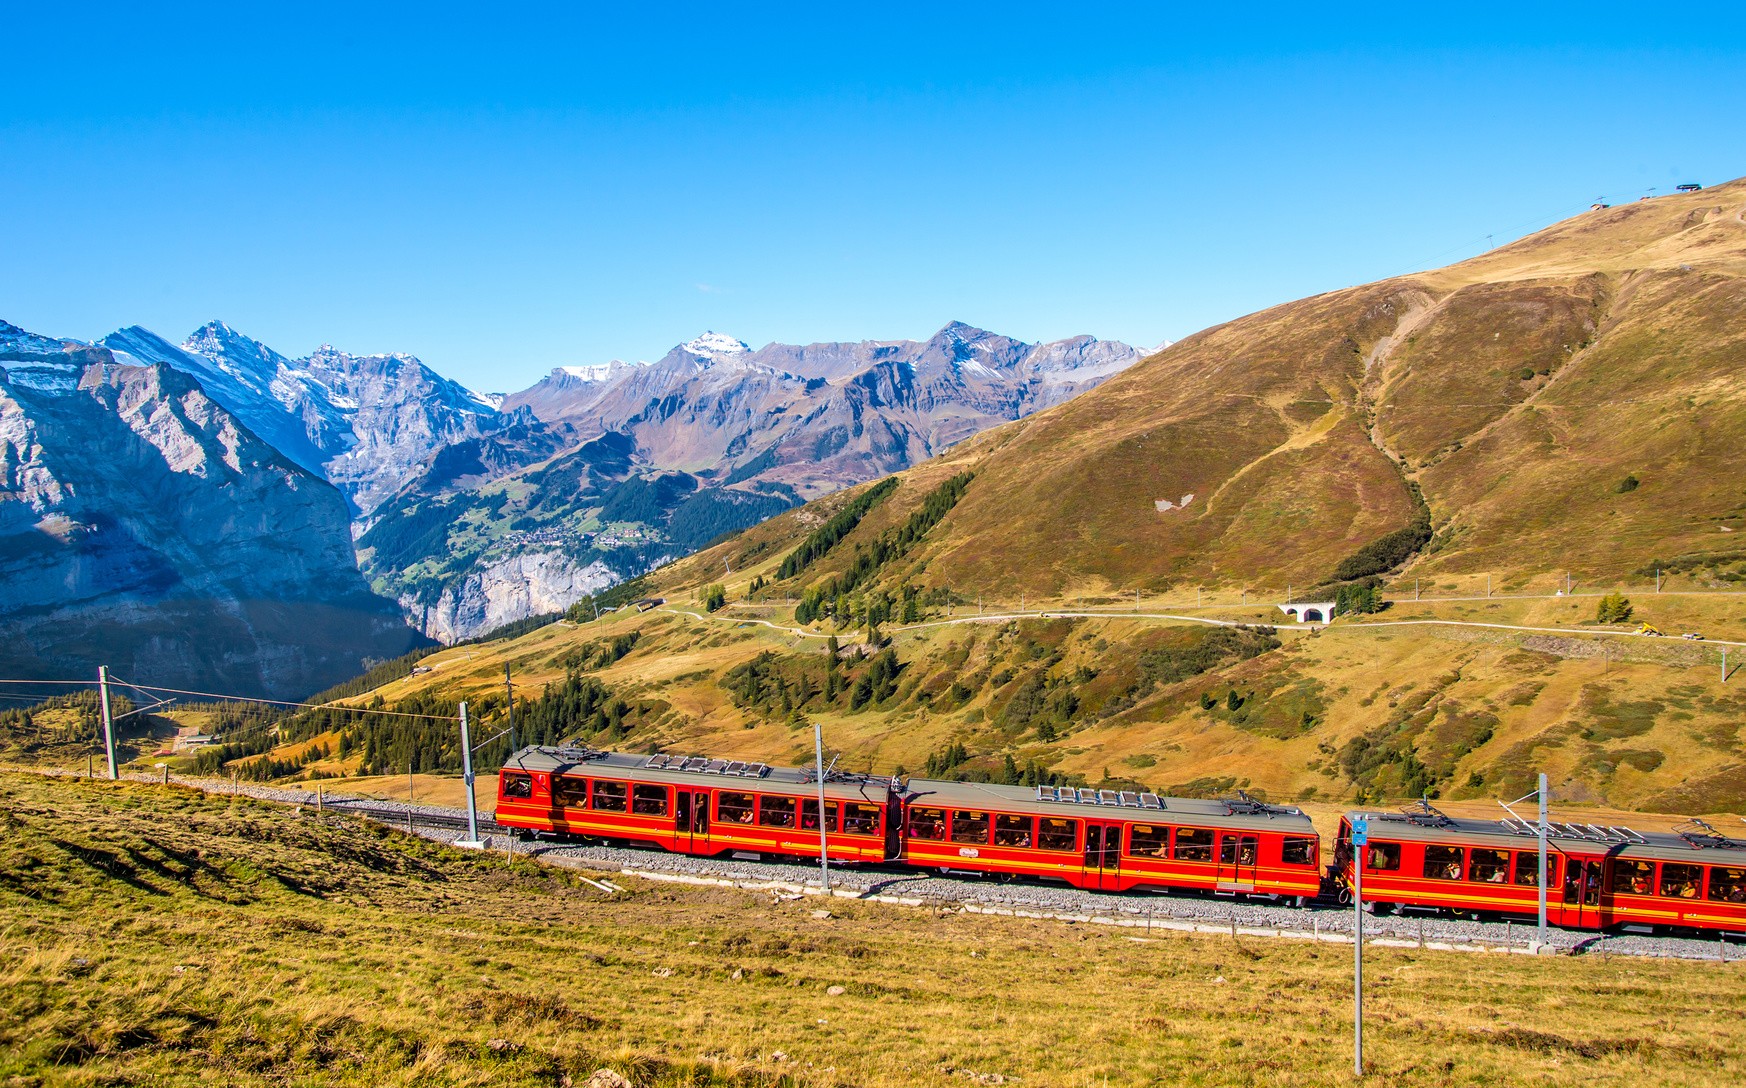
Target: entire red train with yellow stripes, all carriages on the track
(1122,841)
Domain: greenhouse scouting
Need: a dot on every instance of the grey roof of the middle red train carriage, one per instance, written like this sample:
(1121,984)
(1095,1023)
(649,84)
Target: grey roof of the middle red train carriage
(1241,813)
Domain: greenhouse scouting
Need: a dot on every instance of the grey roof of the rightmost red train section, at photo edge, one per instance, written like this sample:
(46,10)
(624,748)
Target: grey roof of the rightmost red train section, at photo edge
(1693,843)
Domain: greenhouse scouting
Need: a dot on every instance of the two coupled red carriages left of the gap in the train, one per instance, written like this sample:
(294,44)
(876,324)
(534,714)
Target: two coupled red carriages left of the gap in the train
(1096,839)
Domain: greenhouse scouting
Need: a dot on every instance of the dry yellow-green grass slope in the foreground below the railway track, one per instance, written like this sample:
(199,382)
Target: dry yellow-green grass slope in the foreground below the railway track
(172,939)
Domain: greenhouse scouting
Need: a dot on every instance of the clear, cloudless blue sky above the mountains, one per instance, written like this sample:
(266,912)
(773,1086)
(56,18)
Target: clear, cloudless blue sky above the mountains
(507,193)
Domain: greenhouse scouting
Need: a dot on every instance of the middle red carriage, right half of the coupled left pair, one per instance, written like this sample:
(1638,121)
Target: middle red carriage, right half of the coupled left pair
(1111,841)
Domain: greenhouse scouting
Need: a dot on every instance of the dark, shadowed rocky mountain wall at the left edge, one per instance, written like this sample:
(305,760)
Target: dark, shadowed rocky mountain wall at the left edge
(146,528)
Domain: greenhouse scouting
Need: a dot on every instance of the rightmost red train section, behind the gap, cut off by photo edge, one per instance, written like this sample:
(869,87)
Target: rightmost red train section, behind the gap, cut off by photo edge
(1598,878)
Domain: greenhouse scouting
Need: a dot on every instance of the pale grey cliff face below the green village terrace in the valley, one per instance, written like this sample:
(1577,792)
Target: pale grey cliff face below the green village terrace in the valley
(507,591)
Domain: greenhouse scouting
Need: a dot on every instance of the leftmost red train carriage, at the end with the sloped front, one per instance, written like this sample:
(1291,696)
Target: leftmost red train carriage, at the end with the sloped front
(696,806)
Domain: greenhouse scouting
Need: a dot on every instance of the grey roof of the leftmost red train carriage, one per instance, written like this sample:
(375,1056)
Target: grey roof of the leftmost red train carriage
(699,771)
